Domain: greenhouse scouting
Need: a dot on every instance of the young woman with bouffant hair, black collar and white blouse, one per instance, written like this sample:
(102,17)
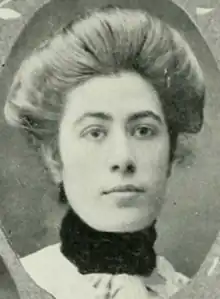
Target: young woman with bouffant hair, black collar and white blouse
(105,101)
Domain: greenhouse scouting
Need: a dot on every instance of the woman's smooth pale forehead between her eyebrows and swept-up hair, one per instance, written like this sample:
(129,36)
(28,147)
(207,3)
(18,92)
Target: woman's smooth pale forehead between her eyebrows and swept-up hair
(116,94)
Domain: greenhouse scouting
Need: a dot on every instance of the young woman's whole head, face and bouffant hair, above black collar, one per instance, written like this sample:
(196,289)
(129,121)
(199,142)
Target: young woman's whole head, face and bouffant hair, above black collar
(105,100)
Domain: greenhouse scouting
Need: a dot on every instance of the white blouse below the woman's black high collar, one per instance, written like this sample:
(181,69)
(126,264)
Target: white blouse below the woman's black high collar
(54,273)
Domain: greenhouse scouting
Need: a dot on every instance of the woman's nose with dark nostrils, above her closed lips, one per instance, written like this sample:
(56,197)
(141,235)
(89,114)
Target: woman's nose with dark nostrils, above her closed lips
(123,160)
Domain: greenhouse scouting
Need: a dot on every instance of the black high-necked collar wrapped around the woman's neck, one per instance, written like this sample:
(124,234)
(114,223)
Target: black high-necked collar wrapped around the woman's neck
(103,252)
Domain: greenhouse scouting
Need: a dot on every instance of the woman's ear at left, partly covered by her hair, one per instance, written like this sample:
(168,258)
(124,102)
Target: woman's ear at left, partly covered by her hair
(52,162)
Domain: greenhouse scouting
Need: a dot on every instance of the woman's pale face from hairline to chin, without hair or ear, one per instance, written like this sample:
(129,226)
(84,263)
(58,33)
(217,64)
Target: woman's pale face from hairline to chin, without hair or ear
(114,148)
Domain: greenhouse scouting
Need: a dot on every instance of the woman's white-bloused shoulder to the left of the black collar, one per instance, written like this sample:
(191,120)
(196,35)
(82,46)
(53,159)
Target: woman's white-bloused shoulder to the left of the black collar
(53,272)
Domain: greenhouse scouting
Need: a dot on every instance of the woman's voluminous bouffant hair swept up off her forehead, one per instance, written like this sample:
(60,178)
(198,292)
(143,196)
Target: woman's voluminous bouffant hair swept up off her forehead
(104,42)
